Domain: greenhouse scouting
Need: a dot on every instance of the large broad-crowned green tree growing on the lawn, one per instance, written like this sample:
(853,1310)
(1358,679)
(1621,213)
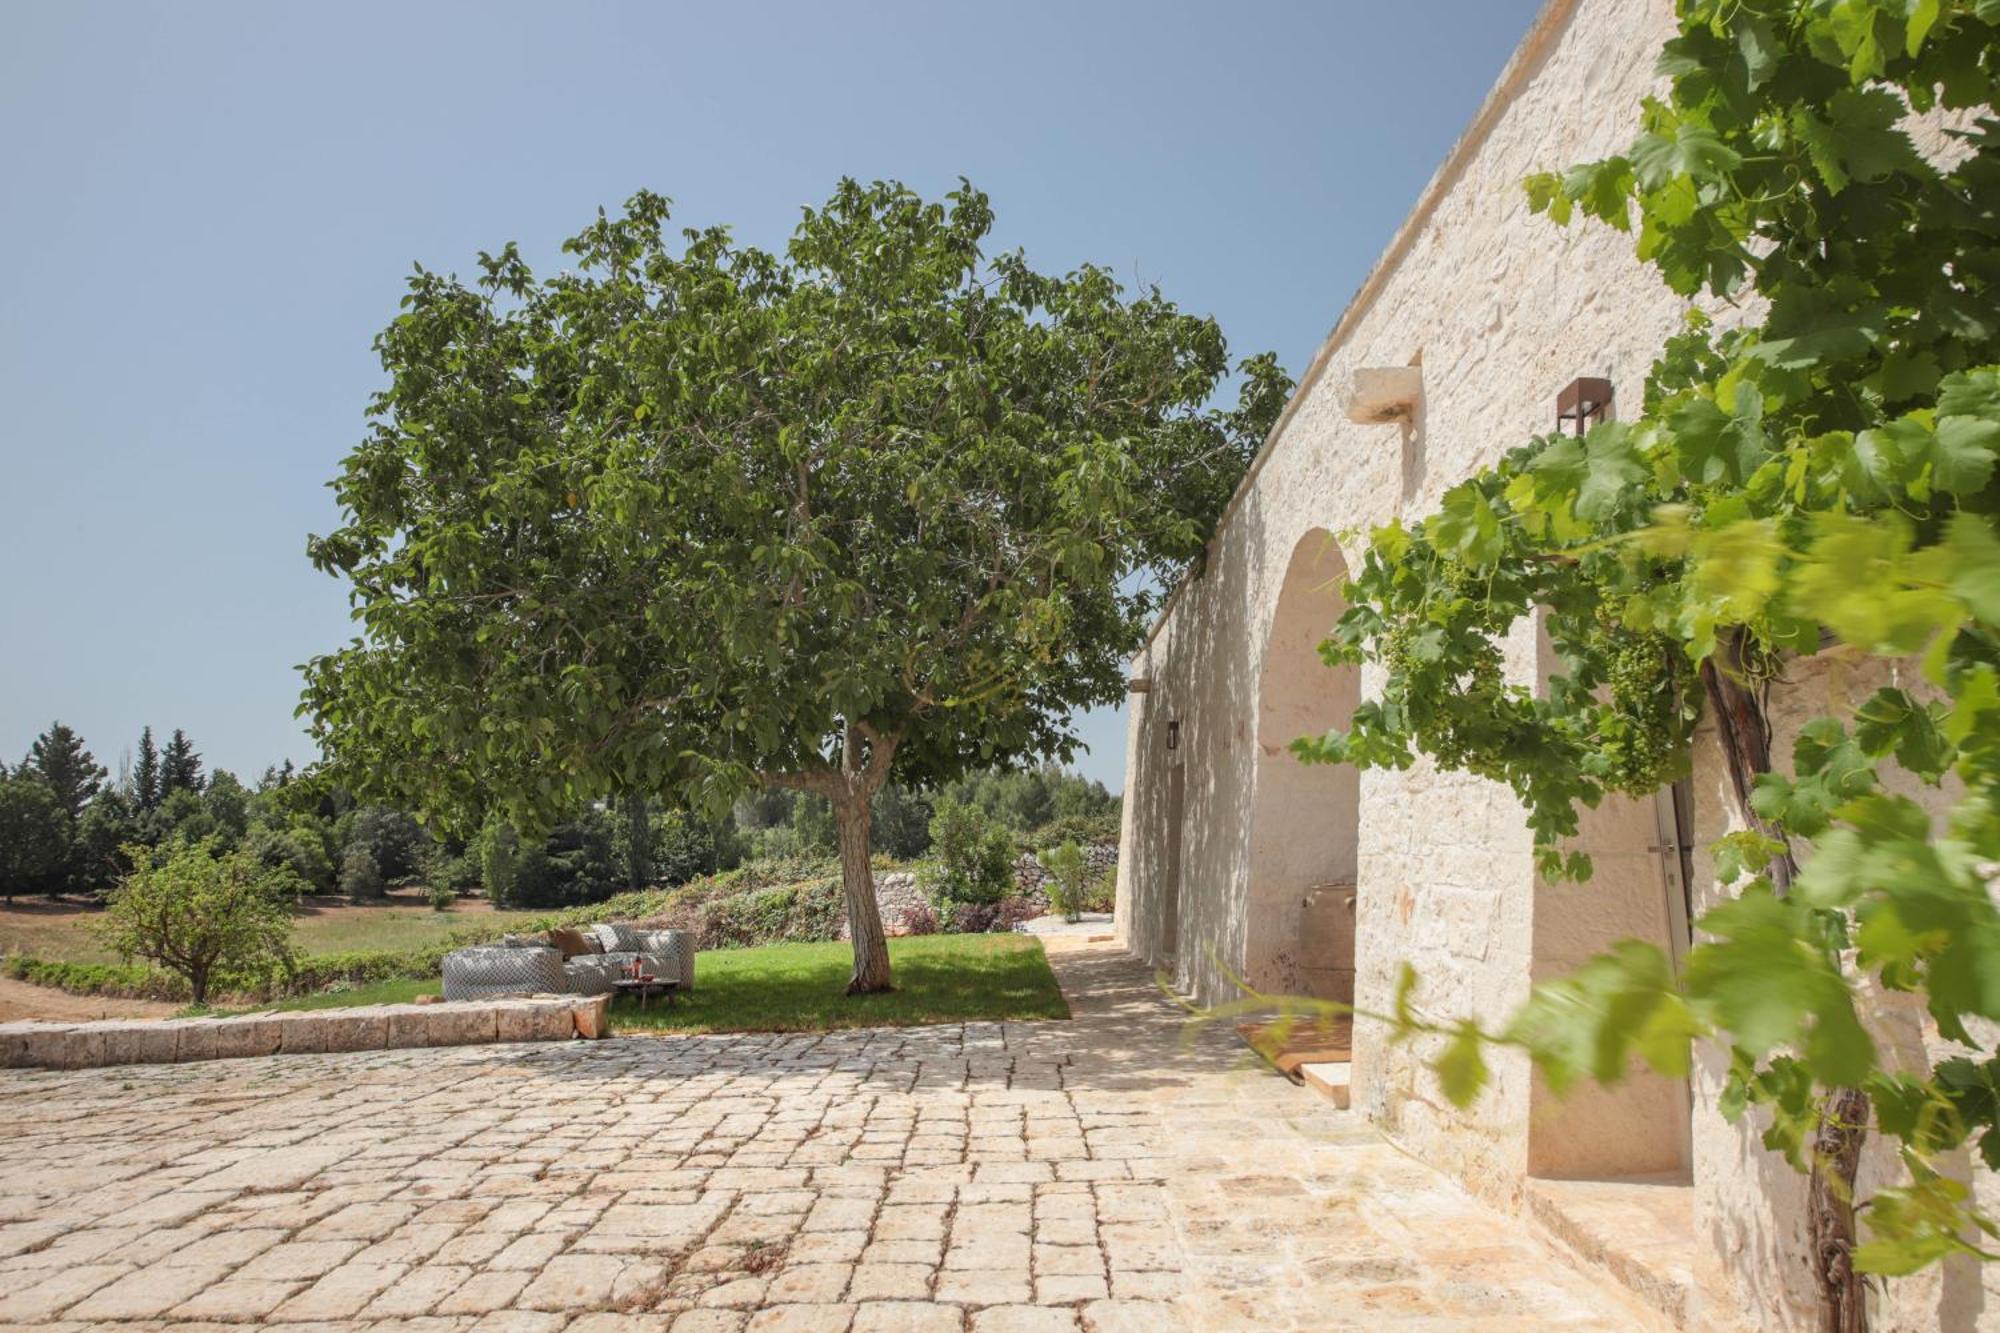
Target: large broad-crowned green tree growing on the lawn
(697,517)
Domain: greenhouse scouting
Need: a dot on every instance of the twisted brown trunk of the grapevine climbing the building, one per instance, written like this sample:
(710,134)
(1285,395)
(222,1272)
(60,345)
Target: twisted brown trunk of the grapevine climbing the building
(1837,1146)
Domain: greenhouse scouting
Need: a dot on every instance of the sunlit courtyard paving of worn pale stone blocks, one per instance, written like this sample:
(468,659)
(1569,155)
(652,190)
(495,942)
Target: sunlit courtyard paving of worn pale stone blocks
(1105,1174)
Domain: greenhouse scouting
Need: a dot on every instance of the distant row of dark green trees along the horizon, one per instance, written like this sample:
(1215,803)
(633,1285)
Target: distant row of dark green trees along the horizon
(69,828)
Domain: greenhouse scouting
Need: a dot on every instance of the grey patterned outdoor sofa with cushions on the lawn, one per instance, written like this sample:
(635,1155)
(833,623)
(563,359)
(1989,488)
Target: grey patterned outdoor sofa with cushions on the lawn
(585,962)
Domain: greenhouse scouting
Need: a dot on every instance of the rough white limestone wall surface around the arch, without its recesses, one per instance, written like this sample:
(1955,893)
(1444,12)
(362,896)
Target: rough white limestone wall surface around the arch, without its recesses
(1503,311)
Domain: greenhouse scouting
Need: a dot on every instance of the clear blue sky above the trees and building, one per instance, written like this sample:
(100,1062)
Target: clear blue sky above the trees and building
(209,209)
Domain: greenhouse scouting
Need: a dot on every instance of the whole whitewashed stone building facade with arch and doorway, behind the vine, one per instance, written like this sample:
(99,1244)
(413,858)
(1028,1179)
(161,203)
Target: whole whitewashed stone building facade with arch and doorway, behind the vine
(1243,864)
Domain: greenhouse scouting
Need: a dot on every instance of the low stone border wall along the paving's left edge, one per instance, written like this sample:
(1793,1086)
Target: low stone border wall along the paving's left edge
(373,1028)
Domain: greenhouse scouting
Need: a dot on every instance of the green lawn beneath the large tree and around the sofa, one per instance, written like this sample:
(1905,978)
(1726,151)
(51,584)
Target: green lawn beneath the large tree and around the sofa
(799,990)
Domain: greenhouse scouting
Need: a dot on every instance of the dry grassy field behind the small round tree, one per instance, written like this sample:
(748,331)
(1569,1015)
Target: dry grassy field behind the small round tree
(61,932)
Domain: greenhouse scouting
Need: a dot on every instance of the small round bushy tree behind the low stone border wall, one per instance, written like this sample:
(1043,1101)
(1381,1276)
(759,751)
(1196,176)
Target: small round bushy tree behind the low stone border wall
(197,914)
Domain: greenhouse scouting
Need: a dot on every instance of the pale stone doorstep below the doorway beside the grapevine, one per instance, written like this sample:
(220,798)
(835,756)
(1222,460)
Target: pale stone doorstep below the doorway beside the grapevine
(1639,1234)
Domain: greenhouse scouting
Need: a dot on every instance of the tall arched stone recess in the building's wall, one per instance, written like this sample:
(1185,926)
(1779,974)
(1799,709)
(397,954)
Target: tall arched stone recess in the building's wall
(1305,822)
